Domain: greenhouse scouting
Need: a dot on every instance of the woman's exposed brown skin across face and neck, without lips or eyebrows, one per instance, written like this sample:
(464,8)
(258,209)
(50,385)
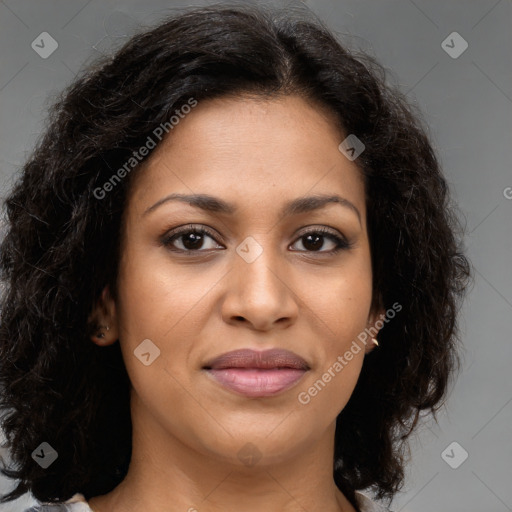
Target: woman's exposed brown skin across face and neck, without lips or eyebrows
(187,429)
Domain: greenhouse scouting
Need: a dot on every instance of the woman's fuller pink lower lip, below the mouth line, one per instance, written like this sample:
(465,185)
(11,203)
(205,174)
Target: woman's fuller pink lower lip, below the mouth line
(254,382)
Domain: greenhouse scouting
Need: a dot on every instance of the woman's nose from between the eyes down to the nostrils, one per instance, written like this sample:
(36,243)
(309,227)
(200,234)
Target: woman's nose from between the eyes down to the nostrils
(260,293)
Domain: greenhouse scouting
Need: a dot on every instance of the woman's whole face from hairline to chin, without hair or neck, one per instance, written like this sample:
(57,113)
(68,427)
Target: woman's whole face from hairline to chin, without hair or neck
(261,278)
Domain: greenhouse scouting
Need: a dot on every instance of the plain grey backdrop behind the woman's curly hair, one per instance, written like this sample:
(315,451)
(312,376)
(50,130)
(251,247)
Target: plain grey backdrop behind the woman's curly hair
(467,102)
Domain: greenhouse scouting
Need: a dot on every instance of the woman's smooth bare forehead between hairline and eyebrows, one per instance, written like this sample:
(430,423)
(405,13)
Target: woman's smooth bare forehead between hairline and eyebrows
(248,150)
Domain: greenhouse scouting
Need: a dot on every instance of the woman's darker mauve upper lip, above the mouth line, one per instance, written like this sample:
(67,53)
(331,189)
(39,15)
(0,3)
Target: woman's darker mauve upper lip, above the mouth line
(248,358)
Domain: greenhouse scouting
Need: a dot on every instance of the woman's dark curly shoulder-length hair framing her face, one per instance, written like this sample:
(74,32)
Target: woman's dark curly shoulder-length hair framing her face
(61,245)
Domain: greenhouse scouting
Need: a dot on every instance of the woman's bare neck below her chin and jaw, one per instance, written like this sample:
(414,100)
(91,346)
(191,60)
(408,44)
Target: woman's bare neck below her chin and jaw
(165,471)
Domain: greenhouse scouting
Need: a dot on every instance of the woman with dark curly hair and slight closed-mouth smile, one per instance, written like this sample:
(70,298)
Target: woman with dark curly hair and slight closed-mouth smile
(232,277)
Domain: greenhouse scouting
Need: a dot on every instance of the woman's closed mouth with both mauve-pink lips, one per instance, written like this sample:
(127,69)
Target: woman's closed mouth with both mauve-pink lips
(257,374)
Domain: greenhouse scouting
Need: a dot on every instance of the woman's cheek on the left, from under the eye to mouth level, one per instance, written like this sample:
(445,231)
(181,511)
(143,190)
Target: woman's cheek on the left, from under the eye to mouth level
(168,305)
